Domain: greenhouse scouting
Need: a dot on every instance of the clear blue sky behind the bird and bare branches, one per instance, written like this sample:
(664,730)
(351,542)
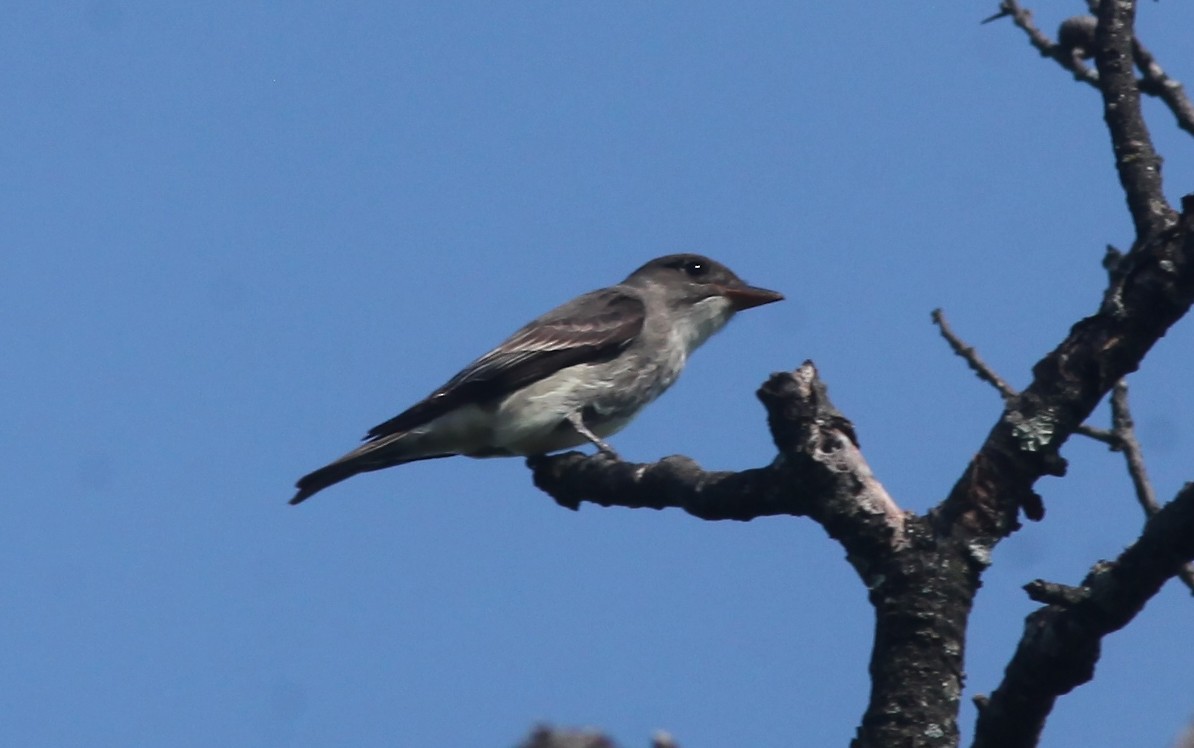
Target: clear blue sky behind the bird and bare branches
(237,235)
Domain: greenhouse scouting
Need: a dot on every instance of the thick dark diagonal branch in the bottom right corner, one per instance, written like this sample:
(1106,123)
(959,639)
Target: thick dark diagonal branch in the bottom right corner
(1062,642)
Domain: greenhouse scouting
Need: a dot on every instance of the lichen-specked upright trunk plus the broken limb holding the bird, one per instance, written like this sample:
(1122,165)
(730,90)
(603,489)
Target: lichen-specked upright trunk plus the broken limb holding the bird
(921,586)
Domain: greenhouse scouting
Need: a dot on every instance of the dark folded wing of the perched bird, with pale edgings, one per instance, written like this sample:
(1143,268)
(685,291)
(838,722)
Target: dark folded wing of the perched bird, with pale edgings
(592,328)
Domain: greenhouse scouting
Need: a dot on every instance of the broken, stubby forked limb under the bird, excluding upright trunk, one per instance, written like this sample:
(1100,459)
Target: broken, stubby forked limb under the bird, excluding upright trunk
(820,474)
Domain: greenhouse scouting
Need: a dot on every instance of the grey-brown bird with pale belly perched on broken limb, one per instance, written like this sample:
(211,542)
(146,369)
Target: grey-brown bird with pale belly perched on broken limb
(577,375)
